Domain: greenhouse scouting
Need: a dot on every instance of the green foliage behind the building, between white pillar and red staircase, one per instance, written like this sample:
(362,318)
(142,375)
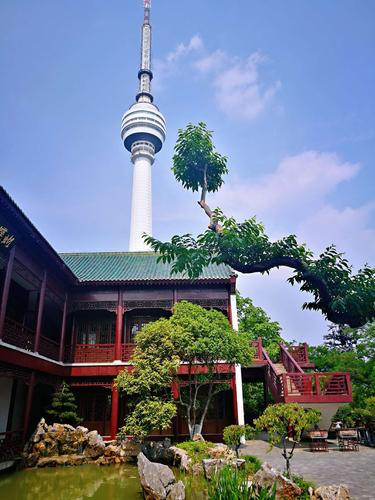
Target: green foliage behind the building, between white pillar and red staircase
(254,322)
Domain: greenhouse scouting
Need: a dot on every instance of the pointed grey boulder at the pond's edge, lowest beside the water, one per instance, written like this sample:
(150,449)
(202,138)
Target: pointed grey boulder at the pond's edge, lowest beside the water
(158,481)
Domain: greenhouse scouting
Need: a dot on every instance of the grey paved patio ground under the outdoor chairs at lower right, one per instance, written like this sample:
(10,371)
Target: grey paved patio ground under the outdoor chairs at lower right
(355,469)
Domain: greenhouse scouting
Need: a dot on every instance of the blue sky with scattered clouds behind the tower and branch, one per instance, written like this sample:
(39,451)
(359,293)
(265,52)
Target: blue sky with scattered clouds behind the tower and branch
(287,87)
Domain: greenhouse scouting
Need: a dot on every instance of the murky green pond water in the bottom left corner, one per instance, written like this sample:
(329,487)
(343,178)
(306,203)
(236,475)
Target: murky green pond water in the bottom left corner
(113,482)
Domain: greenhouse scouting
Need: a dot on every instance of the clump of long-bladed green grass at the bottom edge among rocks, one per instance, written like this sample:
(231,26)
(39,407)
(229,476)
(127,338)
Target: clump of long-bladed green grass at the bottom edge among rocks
(230,484)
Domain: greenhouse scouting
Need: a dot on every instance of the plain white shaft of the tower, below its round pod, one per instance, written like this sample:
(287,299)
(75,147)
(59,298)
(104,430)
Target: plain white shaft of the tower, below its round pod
(141,211)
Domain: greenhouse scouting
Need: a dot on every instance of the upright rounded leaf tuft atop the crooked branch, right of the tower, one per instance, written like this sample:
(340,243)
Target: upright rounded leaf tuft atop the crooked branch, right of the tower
(196,164)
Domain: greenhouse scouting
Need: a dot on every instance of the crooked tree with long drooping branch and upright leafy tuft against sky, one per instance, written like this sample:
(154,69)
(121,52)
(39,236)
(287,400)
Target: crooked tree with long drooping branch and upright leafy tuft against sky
(343,297)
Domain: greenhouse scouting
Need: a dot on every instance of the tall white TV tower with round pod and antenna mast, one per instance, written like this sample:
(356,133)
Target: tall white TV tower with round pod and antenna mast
(143,132)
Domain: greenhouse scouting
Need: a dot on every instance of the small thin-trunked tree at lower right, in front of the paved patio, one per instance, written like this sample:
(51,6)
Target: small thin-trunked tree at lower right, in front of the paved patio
(285,423)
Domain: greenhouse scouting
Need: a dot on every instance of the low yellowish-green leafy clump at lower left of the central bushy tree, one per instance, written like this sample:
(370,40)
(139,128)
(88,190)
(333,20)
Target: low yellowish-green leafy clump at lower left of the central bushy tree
(148,414)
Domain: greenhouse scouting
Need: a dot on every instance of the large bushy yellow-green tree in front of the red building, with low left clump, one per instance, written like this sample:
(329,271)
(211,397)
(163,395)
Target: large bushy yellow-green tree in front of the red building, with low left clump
(202,340)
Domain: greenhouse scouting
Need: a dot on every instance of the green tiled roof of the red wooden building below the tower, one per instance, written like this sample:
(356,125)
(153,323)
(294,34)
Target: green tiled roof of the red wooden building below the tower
(131,266)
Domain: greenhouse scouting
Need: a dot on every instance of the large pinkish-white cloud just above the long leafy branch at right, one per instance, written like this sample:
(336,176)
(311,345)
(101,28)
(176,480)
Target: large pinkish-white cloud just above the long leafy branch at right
(299,184)
